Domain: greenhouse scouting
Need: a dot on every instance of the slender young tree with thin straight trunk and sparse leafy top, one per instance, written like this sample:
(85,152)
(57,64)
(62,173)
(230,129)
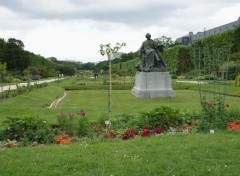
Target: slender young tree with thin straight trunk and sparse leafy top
(109,51)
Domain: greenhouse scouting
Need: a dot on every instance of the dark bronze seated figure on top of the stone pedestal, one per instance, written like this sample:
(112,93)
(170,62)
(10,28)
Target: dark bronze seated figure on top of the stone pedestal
(151,59)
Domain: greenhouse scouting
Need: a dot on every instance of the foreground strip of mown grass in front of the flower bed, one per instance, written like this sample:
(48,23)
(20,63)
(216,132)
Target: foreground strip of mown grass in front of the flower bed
(179,155)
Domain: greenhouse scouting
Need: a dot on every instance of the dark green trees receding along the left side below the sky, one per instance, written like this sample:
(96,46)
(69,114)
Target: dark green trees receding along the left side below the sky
(18,60)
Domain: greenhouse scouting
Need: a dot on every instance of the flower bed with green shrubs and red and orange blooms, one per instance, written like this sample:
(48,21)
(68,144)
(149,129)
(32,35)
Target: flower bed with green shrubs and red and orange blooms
(74,126)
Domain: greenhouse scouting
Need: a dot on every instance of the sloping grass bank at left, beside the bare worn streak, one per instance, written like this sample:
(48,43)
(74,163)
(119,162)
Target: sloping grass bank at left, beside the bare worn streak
(32,104)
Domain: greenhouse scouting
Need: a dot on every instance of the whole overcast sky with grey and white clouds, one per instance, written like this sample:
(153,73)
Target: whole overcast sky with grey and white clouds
(74,29)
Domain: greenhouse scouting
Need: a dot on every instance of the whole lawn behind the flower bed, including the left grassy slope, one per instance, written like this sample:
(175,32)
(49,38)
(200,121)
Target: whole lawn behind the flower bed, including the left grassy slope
(95,103)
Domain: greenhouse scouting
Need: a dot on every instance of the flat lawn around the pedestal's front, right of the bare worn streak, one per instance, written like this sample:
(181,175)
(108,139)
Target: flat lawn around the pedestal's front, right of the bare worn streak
(96,102)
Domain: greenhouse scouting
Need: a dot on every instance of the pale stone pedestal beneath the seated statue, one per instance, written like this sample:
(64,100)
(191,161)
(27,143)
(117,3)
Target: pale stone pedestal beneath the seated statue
(153,85)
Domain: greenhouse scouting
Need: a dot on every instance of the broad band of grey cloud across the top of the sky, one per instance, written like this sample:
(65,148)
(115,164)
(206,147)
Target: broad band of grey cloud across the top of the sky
(140,13)
